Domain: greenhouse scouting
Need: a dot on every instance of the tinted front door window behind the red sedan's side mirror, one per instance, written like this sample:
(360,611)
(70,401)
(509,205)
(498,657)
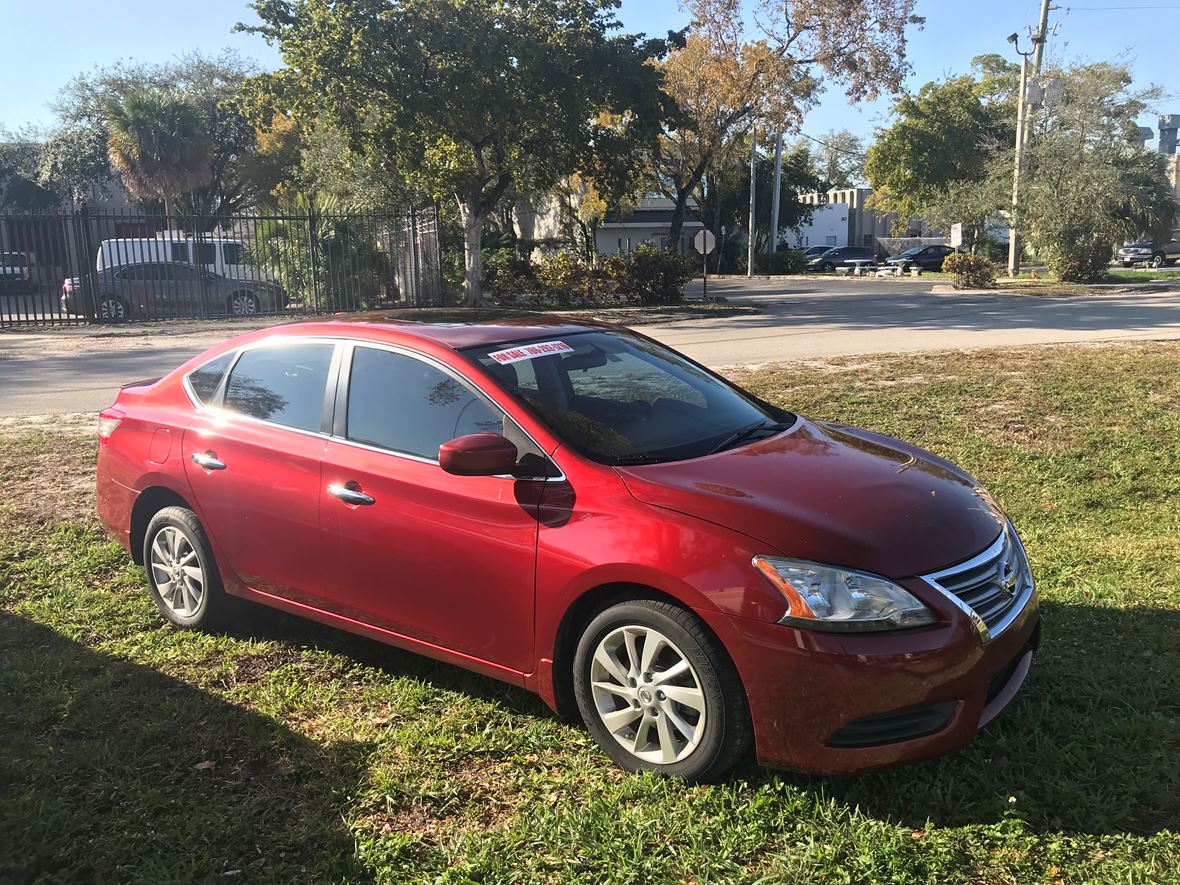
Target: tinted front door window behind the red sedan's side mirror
(407,405)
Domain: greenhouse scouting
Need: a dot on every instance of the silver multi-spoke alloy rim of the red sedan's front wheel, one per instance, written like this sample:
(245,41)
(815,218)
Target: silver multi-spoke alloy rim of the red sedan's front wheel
(647,694)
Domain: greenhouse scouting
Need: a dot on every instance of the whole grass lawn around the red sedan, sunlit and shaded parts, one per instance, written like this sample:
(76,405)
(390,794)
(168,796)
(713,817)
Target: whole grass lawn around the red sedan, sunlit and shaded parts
(286,752)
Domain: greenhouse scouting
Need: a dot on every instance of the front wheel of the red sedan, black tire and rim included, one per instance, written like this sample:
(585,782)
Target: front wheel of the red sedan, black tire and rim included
(659,692)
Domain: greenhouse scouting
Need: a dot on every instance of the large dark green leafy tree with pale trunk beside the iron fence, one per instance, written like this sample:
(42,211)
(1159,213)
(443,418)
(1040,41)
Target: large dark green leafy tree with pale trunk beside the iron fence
(468,100)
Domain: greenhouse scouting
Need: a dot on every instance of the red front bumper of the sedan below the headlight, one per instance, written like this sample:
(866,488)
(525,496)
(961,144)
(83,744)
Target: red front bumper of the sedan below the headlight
(824,703)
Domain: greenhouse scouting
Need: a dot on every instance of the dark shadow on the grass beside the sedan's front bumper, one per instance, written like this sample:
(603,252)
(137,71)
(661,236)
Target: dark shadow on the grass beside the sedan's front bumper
(1091,745)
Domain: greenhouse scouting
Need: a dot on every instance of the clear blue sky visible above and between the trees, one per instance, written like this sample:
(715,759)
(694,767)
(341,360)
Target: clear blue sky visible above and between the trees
(48,42)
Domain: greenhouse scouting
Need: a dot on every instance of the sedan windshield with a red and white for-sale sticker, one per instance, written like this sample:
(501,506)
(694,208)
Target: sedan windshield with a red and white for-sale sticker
(621,399)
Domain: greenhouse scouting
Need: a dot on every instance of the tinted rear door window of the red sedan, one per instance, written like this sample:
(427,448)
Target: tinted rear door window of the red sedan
(284,384)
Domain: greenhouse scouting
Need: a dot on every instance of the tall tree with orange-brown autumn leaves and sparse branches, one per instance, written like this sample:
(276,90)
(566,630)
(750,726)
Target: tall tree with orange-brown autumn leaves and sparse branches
(737,71)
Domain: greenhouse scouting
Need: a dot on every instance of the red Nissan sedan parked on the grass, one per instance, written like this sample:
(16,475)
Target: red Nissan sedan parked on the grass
(584,513)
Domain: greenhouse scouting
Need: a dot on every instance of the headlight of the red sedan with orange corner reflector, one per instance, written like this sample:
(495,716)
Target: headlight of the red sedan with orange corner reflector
(827,598)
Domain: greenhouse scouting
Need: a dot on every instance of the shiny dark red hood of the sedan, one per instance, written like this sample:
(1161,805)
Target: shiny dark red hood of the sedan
(832,495)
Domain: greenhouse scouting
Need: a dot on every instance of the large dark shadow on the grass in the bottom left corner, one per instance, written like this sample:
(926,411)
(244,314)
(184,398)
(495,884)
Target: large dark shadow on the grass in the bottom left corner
(106,776)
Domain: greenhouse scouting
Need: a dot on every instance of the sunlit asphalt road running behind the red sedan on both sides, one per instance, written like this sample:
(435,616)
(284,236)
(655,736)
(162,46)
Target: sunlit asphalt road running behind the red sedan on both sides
(70,371)
